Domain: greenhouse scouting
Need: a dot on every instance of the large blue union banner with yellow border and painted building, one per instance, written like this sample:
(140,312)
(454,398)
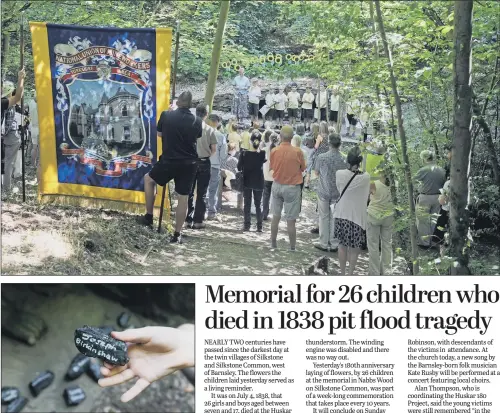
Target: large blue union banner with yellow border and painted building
(100,92)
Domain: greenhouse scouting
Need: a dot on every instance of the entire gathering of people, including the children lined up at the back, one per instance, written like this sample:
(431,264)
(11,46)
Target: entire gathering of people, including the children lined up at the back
(271,166)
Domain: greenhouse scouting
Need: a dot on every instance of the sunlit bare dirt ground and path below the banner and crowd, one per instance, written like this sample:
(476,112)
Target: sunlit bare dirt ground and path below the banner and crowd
(62,240)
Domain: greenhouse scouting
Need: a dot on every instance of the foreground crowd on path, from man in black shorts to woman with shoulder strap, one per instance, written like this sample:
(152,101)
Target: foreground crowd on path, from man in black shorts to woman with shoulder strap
(269,167)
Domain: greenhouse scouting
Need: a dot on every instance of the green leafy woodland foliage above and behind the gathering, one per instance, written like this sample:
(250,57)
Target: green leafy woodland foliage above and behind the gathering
(347,50)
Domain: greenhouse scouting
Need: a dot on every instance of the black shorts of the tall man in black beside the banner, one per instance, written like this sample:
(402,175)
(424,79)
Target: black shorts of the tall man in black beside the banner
(183,172)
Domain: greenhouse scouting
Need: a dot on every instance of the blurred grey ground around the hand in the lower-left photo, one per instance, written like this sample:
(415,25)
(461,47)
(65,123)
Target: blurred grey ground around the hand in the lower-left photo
(63,314)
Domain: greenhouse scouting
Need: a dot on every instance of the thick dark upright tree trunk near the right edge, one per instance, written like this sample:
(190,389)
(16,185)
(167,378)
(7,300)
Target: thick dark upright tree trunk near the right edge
(460,162)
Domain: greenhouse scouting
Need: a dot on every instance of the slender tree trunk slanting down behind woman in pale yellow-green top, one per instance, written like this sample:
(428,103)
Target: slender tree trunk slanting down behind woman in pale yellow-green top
(402,136)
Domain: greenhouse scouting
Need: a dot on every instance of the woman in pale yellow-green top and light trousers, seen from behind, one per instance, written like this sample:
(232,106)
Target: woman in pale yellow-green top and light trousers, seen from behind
(379,228)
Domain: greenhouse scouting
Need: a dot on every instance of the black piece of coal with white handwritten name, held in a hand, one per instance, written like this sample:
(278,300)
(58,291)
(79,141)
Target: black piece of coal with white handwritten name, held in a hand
(92,342)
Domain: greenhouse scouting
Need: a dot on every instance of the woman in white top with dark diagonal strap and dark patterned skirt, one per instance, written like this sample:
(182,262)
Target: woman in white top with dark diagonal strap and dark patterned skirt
(350,212)
